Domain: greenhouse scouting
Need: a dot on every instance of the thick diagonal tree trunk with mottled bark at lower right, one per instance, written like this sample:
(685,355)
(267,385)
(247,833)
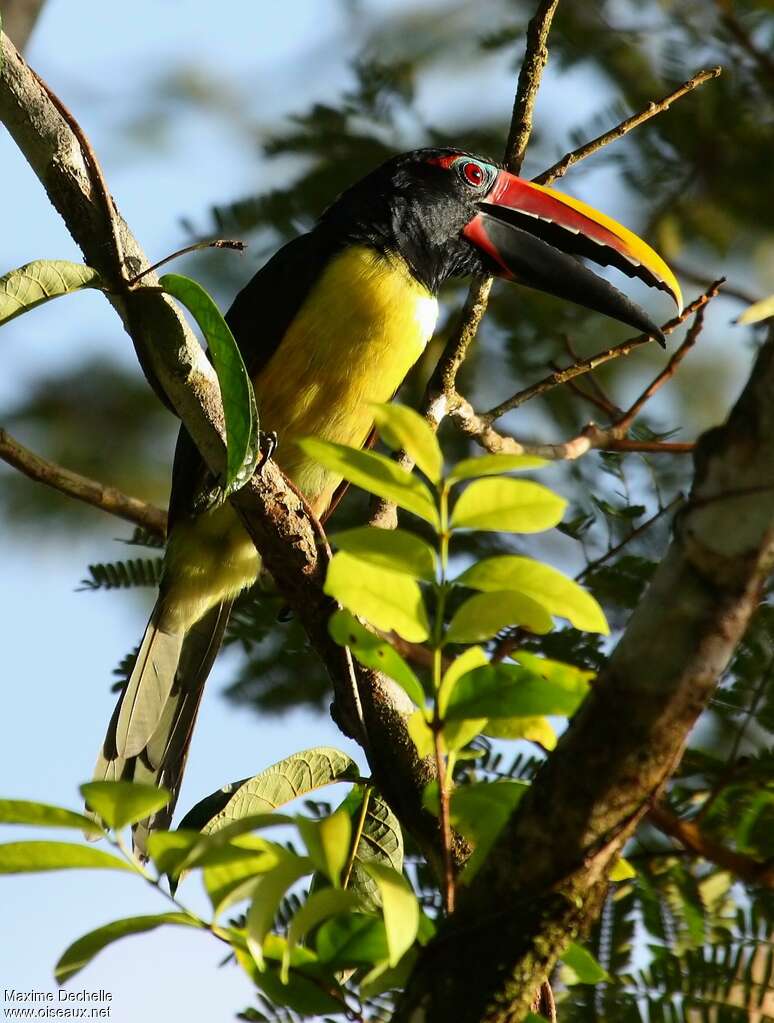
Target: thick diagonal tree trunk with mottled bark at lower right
(545,878)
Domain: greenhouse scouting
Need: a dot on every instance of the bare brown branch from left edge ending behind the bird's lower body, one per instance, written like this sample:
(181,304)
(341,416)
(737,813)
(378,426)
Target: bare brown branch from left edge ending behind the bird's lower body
(93,493)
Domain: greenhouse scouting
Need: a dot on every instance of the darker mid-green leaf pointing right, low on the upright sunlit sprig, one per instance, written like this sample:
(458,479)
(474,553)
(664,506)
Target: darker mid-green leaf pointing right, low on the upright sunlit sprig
(511,691)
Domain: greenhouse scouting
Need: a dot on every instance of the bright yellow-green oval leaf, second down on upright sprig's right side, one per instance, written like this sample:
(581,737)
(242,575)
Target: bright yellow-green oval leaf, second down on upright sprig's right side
(504,505)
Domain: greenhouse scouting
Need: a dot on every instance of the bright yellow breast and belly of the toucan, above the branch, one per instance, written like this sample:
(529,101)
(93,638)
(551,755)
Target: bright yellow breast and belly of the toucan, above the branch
(352,343)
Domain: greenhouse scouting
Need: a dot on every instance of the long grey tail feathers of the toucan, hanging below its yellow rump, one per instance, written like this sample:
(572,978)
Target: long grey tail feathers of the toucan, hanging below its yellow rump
(161,760)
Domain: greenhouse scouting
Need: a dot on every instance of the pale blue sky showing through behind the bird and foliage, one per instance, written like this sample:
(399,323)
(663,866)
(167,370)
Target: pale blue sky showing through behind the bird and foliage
(55,701)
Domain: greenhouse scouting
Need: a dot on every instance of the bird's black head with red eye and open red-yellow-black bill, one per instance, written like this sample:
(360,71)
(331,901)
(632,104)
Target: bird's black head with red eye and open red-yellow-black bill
(451,214)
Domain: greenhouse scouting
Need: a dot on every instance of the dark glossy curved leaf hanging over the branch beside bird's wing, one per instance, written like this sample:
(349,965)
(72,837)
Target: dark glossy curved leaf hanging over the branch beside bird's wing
(243,449)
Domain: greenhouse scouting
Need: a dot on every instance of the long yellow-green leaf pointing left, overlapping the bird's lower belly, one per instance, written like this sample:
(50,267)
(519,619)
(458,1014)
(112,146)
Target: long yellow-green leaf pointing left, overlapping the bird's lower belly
(376,474)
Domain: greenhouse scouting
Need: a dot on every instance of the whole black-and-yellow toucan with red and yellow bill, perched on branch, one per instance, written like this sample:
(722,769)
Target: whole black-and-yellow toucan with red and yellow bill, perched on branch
(331,326)
